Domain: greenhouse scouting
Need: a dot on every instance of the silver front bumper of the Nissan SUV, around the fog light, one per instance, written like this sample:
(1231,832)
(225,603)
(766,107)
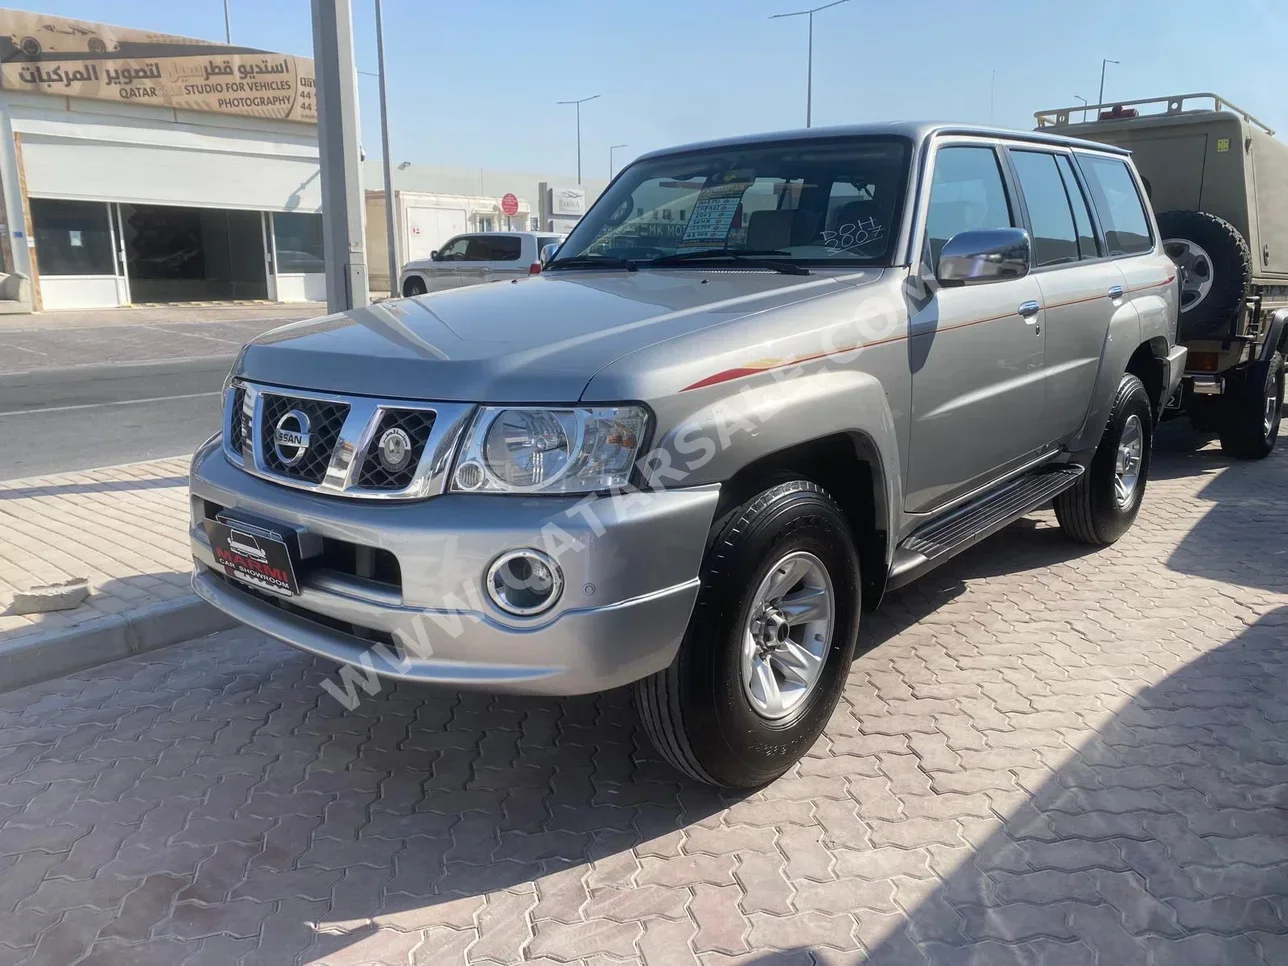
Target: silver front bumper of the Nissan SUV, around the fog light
(630,565)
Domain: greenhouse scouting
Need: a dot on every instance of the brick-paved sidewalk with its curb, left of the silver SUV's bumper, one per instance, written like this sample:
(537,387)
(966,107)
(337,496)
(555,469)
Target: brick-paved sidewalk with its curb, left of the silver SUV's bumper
(126,529)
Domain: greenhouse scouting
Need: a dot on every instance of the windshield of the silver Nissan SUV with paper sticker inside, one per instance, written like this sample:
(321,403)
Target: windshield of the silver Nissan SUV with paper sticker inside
(819,202)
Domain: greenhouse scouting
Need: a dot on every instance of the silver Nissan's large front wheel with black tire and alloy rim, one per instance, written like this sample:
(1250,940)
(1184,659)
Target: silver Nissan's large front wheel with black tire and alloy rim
(770,645)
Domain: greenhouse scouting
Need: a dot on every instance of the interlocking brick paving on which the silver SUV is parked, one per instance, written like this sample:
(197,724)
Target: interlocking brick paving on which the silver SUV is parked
(1044,755)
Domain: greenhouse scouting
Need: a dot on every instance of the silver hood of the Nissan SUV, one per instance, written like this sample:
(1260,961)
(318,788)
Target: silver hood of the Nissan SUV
(538,339)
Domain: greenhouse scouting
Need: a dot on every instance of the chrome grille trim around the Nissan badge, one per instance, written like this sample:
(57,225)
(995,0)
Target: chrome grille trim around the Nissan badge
(356,437)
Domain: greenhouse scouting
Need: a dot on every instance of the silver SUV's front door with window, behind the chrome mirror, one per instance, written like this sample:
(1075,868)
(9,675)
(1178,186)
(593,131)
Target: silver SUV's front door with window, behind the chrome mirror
(977,351)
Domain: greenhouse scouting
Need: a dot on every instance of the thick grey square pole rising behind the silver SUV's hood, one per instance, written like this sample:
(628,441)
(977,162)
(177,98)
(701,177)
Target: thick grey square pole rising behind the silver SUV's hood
(339,155)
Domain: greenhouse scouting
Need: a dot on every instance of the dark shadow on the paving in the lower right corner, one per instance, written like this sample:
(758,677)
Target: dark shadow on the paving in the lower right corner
(1164,840)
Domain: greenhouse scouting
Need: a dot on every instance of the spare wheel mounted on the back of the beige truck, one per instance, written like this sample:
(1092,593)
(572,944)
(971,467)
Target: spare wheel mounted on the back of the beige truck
(1215,266)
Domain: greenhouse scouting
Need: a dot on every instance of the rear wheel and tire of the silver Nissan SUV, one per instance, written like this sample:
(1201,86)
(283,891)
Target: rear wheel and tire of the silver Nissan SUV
(1103,506)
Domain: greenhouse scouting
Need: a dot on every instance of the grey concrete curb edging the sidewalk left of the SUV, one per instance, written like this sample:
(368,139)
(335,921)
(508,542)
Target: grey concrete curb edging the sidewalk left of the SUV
(109,638)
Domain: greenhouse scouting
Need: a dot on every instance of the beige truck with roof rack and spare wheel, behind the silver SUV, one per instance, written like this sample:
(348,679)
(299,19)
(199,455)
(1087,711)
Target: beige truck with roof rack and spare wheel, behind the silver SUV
(1218,180)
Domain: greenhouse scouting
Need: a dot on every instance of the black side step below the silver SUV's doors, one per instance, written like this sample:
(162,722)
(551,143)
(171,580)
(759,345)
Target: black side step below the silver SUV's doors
(967,526)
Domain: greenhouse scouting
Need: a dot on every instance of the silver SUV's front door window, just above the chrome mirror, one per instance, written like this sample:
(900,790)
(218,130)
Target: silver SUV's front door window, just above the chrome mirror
(967,194)
